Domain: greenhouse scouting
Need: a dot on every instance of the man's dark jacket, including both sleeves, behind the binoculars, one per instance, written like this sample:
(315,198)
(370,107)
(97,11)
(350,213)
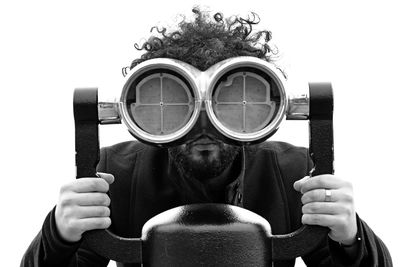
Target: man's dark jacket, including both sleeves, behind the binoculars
(146,184)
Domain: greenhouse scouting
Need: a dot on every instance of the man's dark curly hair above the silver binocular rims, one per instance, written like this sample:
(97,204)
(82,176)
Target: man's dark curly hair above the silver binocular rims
(207,40)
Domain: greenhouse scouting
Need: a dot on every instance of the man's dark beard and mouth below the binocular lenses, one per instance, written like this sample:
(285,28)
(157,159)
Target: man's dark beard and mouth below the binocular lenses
(203,162)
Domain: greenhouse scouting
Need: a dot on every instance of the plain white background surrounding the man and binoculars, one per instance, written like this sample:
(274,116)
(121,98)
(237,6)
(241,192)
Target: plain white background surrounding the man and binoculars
(48,48)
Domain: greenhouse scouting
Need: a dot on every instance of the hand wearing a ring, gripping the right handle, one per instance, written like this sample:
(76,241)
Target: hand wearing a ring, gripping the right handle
(335,211)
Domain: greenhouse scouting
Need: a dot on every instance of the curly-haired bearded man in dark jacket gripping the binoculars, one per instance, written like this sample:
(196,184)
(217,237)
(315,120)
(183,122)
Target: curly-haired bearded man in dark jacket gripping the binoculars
(143,181)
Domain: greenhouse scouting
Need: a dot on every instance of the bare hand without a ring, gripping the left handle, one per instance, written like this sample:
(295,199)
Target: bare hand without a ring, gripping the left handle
(82,206)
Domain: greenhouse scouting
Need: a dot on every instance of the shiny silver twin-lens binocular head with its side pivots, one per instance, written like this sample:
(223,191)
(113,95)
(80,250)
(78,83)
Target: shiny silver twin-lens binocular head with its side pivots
(244,99)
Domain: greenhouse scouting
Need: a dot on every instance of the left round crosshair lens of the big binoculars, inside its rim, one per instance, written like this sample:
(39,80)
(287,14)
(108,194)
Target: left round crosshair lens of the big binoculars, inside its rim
(161,103)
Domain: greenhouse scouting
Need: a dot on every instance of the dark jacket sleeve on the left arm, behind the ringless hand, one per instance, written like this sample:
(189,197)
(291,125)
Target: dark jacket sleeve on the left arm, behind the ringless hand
(49,249)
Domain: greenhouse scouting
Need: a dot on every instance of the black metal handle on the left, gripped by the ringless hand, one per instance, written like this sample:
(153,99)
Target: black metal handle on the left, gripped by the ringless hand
(87,150)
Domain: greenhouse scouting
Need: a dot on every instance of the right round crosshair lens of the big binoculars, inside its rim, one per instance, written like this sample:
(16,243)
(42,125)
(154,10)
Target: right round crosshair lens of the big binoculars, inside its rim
(245,102)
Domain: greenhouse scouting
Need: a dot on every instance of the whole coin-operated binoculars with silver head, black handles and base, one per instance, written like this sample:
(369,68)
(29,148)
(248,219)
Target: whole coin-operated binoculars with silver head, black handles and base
(245,101)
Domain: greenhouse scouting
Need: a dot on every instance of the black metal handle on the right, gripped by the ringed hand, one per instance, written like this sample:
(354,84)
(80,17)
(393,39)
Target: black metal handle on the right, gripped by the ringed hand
(307,238)
